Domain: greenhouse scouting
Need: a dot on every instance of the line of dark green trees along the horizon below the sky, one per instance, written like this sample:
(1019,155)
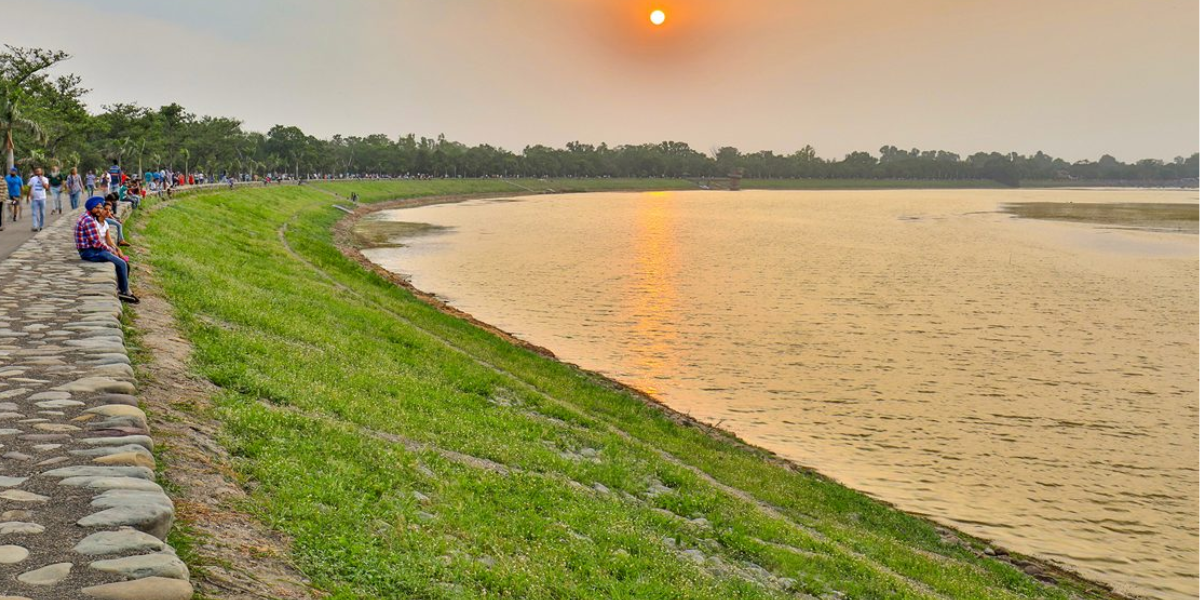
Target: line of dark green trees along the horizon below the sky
(46,123)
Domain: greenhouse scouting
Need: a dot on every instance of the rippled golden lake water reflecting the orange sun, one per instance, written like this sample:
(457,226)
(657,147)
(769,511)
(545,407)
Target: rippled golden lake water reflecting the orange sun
(1030,382)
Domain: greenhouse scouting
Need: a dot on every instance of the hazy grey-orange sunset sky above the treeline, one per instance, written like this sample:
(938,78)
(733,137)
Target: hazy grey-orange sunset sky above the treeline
(1075,79)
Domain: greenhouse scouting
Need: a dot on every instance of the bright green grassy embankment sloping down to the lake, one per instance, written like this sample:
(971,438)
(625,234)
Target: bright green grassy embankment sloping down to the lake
(410,454)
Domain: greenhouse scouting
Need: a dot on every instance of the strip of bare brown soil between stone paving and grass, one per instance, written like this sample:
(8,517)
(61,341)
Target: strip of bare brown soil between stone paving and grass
(235,557)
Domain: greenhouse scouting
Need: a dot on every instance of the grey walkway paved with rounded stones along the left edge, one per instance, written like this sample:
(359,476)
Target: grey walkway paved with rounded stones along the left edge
(81,514)
